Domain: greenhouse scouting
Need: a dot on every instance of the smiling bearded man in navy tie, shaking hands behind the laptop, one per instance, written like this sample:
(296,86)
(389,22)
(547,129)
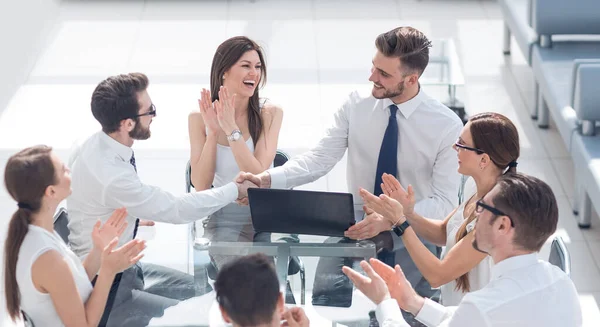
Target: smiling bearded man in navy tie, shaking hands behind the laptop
(394,128)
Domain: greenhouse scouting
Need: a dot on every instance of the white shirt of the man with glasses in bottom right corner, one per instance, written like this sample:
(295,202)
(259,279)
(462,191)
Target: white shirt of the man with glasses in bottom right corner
(524,292)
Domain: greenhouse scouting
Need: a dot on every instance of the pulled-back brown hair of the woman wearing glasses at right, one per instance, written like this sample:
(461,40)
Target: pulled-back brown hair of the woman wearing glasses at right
(498,137)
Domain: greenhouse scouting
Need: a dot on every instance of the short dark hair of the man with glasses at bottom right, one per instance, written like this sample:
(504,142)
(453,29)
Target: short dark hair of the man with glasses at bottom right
(531,205)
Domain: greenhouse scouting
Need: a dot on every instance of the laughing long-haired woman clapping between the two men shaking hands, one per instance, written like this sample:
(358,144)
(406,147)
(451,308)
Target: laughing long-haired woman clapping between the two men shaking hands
(233,132)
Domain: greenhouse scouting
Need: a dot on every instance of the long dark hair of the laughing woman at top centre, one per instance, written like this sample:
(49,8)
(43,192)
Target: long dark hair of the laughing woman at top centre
(227,54)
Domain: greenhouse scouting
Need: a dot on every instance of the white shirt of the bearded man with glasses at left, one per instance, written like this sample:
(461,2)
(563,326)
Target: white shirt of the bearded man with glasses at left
(103,180)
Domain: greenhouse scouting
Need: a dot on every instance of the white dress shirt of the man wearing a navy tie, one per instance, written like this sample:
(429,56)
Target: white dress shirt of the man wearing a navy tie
(427,131)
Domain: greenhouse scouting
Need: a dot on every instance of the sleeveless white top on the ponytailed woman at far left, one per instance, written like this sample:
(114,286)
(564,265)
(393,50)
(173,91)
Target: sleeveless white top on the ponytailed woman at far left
(36,304)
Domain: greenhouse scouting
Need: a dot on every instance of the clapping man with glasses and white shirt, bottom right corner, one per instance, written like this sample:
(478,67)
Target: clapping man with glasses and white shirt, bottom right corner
(514,221)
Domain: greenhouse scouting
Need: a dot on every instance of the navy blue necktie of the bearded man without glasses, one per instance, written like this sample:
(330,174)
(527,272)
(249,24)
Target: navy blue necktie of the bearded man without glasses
(388,163)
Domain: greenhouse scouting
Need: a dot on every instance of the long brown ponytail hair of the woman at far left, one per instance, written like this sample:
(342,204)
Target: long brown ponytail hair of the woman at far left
(26,177)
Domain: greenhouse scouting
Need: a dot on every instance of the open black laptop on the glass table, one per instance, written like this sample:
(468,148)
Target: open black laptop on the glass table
(301,212)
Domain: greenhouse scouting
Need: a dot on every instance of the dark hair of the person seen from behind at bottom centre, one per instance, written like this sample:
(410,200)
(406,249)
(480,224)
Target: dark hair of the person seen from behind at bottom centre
(248,290)
